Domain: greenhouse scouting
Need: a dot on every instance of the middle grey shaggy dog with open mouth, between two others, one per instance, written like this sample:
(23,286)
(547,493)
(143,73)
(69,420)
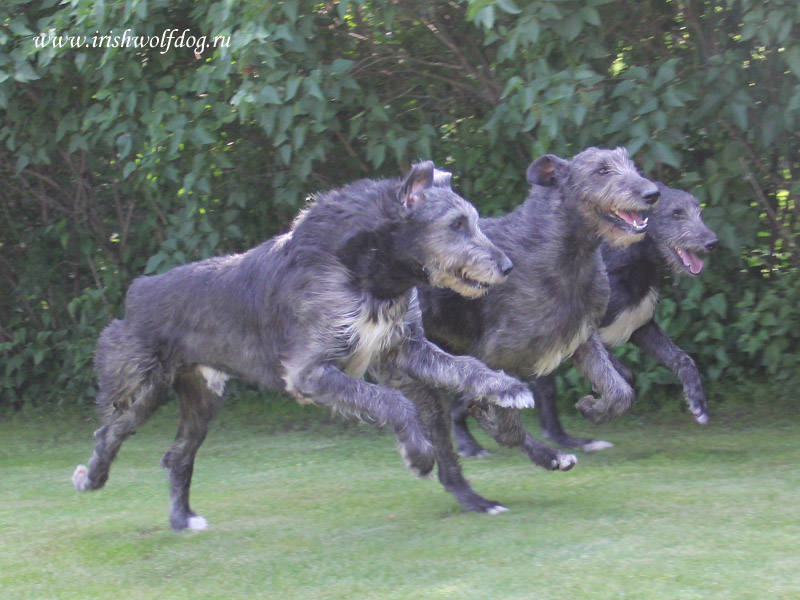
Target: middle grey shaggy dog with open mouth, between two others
(551,303)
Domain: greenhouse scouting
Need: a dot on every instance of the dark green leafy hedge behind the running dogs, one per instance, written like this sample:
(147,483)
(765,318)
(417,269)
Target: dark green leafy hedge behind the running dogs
(120,161)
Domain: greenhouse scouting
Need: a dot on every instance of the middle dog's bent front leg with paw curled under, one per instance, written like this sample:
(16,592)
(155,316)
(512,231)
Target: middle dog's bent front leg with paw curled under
(616,395)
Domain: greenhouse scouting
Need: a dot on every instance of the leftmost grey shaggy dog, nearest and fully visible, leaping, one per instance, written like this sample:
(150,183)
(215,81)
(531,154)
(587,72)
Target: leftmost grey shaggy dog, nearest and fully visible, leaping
(307,312)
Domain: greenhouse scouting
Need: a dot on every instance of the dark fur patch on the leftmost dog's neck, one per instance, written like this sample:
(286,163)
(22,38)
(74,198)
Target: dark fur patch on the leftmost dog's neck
(380,264)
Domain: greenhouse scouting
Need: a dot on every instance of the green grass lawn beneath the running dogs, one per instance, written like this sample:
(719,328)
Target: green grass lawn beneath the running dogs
(300,507)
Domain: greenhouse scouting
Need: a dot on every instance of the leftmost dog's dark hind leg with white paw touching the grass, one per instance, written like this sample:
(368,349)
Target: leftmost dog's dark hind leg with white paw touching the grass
(200,393)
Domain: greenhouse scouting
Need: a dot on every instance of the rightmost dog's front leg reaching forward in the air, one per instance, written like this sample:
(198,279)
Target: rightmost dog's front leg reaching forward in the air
(652,339)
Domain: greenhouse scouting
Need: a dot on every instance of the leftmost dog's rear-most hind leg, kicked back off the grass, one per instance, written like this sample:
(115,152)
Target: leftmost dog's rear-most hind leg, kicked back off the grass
(131,389)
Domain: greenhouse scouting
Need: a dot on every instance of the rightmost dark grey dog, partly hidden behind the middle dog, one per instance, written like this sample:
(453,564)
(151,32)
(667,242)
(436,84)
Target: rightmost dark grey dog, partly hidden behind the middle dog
(676,239)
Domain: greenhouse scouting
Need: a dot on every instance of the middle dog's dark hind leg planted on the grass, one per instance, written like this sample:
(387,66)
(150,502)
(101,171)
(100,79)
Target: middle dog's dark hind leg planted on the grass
(432,413)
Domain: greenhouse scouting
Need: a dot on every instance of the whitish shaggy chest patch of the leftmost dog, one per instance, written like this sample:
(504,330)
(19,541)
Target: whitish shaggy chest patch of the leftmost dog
(375,328)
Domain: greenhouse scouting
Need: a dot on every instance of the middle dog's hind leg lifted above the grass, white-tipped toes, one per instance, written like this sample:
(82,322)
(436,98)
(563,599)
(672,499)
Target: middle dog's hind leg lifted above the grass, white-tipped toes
(505,426)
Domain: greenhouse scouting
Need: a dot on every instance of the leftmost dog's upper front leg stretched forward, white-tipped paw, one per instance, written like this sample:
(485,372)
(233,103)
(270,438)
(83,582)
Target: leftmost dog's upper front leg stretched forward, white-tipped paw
(429,364)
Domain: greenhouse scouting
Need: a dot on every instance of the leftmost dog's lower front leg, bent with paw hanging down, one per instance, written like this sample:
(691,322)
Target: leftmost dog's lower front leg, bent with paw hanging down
(326,385)
